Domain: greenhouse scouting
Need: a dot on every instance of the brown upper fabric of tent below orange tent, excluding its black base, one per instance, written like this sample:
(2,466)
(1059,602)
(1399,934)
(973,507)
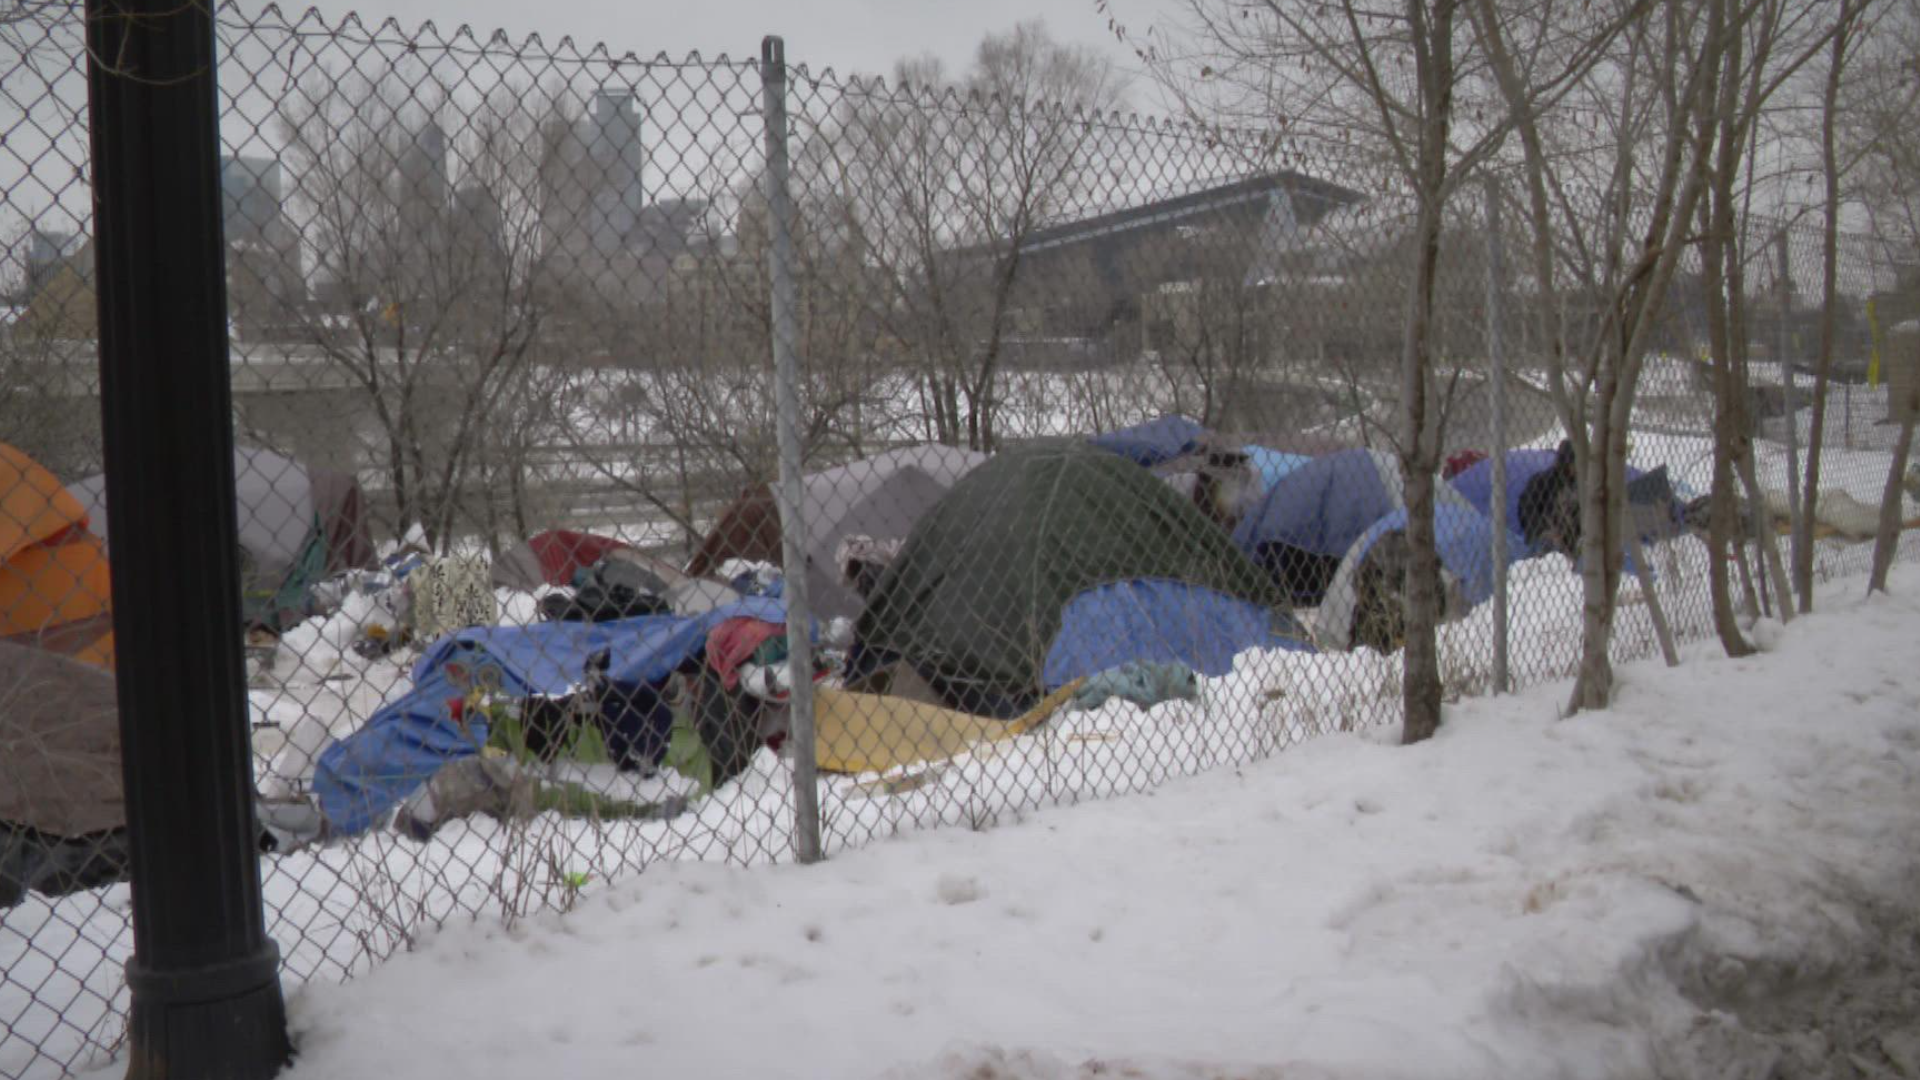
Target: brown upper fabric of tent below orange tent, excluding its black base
(59,745)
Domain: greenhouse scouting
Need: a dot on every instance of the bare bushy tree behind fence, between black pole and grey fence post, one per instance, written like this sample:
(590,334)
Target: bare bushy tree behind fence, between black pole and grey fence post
(429,285)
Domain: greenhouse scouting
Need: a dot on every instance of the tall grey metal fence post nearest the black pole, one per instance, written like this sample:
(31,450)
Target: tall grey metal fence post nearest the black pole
(788,403)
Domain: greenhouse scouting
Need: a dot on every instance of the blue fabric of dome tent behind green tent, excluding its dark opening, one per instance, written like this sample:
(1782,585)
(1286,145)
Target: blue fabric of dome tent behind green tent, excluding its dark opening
(1322,506)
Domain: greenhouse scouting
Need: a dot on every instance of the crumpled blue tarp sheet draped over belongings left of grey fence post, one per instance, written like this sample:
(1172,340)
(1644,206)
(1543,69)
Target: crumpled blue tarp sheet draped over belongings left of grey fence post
(370,773)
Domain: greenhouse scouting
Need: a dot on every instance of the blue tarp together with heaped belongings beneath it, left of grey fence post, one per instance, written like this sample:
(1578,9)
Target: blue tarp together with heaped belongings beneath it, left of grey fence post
(613,693)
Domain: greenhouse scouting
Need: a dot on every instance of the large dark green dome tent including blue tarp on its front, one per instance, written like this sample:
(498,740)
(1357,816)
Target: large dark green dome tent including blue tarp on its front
(996,599)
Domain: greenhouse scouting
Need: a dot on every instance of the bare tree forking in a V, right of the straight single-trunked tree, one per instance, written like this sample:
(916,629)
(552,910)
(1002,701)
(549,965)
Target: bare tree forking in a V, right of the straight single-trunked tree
(1610,226)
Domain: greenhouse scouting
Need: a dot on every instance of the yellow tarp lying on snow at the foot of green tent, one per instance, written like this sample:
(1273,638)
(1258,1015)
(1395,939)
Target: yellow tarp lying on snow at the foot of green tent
(873,733)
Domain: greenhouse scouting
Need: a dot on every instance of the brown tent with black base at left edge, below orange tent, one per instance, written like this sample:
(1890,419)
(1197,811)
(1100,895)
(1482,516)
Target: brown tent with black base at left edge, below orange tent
(62,808)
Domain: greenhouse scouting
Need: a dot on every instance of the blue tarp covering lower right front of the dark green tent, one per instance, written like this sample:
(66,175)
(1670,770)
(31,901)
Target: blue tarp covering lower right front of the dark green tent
(1157,620)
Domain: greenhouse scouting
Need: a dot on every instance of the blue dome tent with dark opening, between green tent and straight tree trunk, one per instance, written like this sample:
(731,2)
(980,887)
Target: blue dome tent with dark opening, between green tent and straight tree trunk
(1308,522)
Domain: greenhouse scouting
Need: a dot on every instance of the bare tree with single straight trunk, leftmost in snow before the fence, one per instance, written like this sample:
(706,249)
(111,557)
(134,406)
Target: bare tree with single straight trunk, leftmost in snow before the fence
(1395,78)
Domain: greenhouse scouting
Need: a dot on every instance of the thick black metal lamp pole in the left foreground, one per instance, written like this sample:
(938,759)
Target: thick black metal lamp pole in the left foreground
(204,975)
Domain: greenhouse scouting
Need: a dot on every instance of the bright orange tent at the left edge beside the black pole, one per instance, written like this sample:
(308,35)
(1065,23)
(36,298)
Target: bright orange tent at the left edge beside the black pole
(55,589)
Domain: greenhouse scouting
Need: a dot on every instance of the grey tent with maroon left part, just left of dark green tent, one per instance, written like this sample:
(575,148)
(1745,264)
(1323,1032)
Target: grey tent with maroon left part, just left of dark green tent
(876,499)
